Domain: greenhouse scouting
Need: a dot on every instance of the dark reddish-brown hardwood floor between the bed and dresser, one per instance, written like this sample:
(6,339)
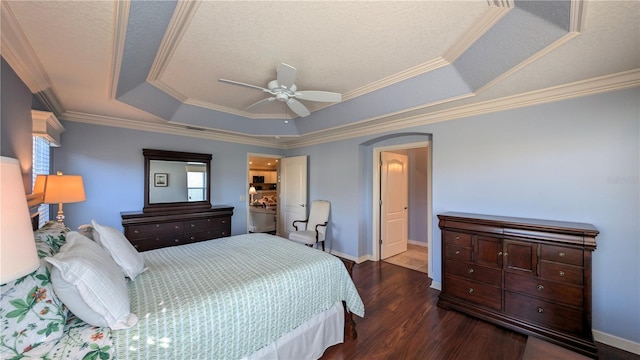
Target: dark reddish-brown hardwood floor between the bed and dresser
(402,321)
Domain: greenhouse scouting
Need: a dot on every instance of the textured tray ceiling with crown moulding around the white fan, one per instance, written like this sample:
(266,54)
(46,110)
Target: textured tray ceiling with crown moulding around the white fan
(154,65)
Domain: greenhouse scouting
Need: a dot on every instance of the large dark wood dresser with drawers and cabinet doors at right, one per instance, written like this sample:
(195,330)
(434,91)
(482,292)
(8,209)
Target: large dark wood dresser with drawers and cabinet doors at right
(531,276)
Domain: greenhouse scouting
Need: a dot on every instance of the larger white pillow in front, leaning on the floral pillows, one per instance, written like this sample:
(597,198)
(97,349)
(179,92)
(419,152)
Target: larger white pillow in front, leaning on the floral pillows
(90,284)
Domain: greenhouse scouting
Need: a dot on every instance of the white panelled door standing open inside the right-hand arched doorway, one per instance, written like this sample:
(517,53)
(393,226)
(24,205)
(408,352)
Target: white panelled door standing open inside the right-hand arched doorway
(394,188)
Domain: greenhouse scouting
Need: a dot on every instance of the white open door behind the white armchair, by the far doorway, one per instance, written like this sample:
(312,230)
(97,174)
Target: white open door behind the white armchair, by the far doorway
(293,193)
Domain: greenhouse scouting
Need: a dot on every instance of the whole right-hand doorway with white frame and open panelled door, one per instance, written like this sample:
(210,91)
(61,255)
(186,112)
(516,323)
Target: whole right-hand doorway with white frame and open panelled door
(403,225)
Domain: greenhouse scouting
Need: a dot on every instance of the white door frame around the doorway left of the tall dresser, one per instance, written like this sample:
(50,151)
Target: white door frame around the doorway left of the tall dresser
(375,221)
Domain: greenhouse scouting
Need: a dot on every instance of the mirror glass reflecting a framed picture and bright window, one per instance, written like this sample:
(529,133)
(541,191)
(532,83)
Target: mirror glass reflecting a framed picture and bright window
(177,181)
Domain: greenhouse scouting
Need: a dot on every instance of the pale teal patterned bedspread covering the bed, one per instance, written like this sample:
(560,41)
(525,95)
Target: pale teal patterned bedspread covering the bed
(227,298)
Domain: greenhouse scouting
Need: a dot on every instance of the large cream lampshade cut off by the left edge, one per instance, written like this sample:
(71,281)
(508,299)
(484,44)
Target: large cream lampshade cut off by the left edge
(18,254)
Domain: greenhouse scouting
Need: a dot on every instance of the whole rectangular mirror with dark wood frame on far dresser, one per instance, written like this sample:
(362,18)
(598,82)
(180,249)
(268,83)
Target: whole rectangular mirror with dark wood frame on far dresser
(176,181)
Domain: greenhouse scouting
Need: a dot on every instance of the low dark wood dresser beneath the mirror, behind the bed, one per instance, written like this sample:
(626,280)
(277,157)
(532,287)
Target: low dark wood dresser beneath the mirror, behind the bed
(147,231)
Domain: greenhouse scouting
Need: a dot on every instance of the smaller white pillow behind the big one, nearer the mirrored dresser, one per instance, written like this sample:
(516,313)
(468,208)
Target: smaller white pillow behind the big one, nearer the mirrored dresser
(121,250)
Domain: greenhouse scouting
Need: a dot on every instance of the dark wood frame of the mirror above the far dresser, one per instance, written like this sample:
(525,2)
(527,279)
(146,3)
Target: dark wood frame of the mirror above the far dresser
(184,206)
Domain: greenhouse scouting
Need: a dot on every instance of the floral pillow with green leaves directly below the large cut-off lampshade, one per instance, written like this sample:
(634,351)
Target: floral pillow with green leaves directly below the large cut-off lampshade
(31,313)
